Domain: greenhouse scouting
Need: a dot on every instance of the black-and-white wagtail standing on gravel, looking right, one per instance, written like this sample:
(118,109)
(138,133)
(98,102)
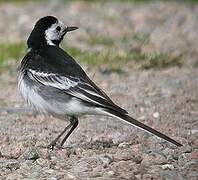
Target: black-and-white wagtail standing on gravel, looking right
(53,83)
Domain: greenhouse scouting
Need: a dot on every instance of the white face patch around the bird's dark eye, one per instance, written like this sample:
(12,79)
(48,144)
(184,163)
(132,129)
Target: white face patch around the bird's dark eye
(52,33)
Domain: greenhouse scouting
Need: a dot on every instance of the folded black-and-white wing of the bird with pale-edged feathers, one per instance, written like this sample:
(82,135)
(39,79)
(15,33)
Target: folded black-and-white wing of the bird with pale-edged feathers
(86,91)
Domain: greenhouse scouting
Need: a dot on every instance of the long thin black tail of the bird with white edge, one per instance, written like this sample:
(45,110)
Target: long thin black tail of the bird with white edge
(140,125)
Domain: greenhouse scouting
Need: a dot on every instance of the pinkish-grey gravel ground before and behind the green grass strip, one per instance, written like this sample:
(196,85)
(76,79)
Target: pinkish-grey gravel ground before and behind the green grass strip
(102,147)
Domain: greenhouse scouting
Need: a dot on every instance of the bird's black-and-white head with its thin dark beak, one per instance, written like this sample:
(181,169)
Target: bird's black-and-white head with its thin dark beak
(48,31)
